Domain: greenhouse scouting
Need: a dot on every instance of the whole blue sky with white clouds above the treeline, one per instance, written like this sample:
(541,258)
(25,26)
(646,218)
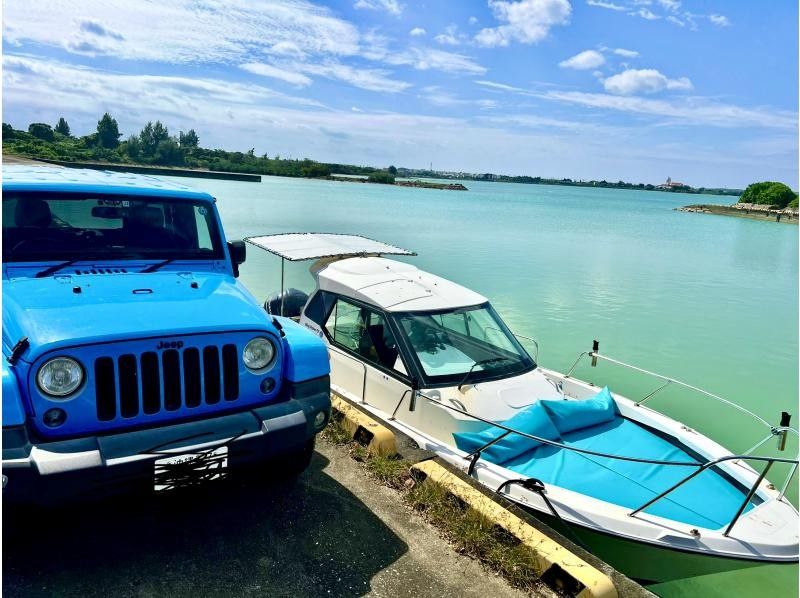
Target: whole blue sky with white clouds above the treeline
(702,91)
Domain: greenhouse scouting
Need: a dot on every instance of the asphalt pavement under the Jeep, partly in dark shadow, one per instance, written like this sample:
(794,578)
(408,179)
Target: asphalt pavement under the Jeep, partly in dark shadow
(332,532)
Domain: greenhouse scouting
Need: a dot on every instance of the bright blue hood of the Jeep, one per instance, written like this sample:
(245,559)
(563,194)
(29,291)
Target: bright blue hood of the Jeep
(62,311)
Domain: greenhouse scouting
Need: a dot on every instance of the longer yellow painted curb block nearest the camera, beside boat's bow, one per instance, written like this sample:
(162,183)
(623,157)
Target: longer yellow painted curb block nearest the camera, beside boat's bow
(548,552)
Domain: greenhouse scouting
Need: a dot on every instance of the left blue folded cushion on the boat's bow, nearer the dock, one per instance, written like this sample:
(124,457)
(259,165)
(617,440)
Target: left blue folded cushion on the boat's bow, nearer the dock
(532,420)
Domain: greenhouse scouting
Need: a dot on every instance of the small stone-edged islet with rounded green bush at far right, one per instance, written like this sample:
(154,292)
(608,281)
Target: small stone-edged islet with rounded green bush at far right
(768,200)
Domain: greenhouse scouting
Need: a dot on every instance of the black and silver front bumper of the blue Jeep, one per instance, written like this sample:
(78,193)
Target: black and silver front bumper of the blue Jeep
(95,466)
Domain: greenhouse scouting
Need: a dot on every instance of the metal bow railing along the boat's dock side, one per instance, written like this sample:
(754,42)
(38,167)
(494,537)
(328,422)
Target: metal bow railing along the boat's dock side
(475,455)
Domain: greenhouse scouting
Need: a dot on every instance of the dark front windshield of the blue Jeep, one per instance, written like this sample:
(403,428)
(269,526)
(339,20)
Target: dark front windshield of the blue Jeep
(40,227)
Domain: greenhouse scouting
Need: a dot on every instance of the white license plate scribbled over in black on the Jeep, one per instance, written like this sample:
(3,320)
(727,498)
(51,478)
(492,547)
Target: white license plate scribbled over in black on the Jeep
(191,469)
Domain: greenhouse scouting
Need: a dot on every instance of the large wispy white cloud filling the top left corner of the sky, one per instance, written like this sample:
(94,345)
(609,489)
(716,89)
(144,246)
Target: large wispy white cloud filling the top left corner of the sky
(182,31)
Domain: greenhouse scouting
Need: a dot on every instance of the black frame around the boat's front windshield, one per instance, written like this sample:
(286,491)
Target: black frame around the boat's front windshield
(520,363)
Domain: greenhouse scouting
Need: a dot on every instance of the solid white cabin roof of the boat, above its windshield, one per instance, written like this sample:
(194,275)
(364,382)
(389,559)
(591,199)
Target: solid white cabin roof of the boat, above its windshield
(393,285)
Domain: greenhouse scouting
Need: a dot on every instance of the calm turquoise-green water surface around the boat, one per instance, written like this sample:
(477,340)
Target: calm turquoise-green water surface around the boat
(710,300)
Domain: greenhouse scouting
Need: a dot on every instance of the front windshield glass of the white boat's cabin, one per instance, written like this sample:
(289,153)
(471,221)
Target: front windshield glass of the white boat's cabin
(468,341)
